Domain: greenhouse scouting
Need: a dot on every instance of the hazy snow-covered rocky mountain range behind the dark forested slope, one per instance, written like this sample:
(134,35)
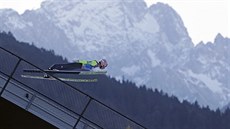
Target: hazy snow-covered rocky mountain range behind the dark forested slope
(147,45)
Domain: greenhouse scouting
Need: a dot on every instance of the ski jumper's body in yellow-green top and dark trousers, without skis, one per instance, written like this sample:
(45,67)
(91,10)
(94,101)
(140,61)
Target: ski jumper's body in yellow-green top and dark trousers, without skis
(81,64)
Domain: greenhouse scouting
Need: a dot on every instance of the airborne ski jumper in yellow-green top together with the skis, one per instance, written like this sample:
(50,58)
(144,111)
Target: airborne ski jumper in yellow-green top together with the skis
(77,67)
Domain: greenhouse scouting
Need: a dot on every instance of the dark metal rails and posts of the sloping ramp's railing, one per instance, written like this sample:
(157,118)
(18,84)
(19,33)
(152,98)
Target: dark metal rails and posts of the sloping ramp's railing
(81,116)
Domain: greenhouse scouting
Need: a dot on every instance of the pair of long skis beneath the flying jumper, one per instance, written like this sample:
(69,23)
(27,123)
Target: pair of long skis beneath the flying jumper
(76,72)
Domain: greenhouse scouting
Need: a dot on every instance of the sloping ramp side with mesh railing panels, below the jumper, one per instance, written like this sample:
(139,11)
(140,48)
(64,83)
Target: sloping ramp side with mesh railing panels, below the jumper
(56,102)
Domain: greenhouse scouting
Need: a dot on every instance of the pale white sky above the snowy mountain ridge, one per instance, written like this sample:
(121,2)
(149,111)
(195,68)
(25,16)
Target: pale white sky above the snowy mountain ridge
(202,18)
